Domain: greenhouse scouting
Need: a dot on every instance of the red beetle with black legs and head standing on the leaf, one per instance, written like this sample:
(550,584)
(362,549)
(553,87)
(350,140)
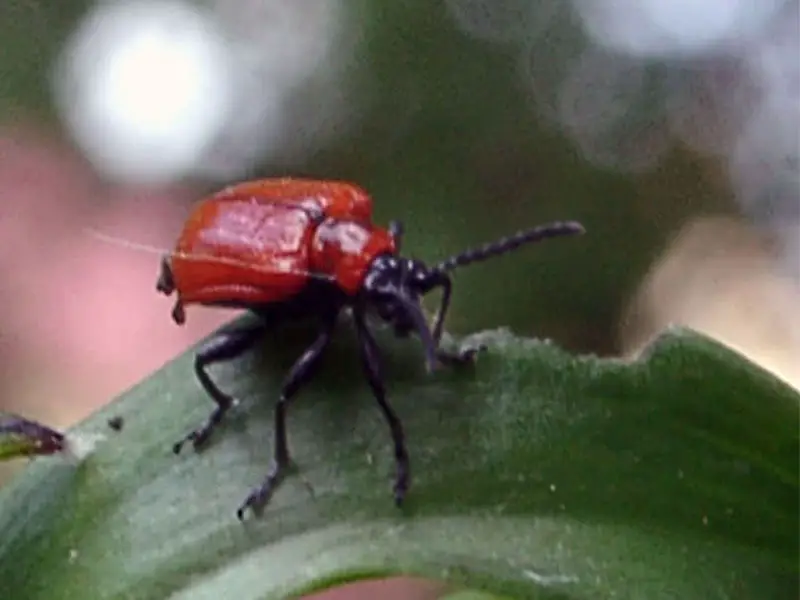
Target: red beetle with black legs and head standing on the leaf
(290,248)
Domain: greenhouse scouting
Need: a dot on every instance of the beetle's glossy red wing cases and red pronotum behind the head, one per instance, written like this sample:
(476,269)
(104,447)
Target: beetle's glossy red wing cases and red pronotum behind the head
(257,242)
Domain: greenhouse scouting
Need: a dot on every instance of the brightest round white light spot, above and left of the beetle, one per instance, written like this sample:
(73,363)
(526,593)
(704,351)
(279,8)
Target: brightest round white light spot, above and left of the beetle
(144,87)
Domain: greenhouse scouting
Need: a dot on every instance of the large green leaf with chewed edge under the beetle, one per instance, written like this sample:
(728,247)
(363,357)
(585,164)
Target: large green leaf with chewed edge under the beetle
(535,475)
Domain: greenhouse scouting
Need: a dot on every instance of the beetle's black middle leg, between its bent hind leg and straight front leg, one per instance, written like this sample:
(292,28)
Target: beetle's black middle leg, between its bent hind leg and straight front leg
(300,374)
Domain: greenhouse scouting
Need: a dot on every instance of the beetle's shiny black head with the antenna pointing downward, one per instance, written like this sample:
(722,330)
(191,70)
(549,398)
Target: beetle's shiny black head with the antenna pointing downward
(393,287)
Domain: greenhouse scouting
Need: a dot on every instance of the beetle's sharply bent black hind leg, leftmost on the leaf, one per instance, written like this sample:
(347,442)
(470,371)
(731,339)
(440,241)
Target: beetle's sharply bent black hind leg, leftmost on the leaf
(226,345)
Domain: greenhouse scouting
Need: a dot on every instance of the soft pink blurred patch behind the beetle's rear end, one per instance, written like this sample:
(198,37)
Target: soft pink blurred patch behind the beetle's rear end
(81,318)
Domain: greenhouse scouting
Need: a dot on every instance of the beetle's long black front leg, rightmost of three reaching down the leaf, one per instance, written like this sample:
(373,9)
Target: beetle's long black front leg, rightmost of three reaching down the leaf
(372,366)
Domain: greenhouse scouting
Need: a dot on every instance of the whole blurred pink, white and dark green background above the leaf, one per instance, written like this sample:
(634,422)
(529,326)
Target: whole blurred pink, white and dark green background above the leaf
(668,127)
